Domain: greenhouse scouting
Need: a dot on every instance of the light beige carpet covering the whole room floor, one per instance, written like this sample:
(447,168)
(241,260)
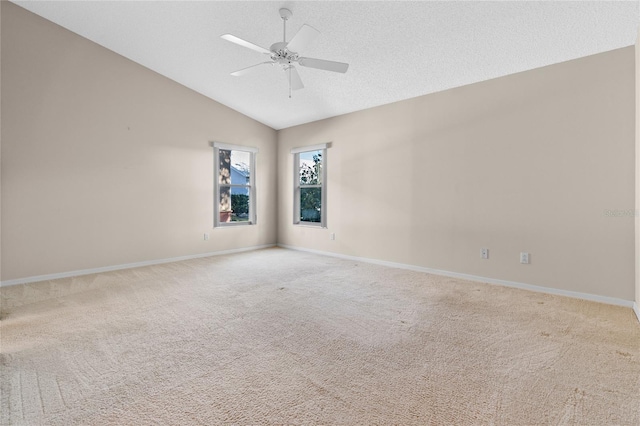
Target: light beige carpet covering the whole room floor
(283,337)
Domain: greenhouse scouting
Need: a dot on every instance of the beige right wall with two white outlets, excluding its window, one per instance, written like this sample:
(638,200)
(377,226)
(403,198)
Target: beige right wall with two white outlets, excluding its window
(528,162)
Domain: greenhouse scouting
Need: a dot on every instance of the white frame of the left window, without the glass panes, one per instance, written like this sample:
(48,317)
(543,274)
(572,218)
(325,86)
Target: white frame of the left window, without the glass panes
(253,153)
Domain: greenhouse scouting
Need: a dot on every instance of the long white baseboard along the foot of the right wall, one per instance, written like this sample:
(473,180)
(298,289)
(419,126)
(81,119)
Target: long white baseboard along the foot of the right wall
(536,288)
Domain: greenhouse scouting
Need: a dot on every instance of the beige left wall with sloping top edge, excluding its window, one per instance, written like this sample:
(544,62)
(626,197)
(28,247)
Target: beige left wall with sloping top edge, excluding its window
(105,162)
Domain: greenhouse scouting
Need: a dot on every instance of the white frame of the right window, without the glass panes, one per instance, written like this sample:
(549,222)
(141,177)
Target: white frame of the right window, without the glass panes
(297,186)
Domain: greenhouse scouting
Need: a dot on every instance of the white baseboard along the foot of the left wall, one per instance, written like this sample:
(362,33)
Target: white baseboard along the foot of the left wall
(126,266)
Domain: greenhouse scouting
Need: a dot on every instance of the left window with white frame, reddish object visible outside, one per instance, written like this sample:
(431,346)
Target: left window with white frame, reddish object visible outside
(235,191)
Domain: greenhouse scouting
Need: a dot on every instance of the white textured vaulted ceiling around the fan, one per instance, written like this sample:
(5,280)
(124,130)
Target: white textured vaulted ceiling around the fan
(396,49)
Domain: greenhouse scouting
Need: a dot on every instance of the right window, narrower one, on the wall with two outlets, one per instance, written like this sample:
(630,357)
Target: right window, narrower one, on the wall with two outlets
(310,193)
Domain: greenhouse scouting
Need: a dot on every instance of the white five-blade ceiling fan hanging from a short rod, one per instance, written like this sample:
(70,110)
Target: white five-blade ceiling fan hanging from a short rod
(286,54)
